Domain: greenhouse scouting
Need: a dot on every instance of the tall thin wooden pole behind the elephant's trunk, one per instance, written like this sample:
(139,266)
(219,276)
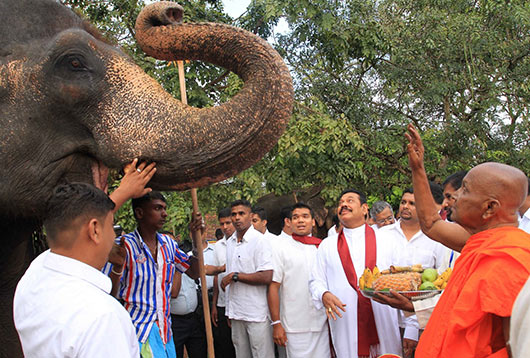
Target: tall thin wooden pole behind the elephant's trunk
(197,239)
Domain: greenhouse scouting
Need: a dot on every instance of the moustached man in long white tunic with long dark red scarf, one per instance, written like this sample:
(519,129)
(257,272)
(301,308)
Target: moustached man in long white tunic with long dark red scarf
(359,327)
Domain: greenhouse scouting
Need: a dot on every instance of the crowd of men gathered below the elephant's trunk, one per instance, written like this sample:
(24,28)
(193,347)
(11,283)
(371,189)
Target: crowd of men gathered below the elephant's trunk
(288,295)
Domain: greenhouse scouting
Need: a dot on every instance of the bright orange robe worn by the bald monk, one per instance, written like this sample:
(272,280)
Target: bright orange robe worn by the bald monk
(491,270)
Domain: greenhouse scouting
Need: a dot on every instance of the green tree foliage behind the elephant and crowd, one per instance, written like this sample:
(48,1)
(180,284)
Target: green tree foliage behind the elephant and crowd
(363,69)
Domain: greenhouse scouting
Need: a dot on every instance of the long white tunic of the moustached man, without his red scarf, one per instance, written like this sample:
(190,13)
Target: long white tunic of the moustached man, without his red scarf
(327,274)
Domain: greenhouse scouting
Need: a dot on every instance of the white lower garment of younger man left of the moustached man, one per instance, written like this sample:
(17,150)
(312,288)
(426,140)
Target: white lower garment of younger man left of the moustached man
(308,344)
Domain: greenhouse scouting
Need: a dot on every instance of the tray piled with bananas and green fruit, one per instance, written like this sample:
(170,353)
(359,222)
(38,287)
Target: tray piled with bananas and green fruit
(414,282)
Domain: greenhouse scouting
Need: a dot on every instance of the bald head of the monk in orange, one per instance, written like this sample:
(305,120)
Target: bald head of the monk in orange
(491,195)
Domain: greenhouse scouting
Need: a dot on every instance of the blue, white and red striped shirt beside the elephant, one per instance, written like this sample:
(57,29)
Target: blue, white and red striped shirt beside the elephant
(145,285)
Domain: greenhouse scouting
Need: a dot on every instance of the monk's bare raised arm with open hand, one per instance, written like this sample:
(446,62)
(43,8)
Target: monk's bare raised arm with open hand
(449,234)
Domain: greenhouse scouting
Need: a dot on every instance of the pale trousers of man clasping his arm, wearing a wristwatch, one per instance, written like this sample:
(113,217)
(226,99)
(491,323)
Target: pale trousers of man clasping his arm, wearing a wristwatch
(252,339)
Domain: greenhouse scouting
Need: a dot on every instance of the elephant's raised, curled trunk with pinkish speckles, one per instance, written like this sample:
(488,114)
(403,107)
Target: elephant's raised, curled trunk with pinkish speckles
(219,142)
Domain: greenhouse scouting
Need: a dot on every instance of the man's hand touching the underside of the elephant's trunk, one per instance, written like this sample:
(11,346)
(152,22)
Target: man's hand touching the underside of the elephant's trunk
(133,183)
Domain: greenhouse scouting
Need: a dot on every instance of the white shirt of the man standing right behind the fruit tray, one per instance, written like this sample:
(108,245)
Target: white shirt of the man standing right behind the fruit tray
(420,249)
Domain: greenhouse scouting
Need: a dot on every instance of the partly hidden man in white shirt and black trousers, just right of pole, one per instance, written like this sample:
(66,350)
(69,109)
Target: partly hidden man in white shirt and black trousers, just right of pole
(222,331)
